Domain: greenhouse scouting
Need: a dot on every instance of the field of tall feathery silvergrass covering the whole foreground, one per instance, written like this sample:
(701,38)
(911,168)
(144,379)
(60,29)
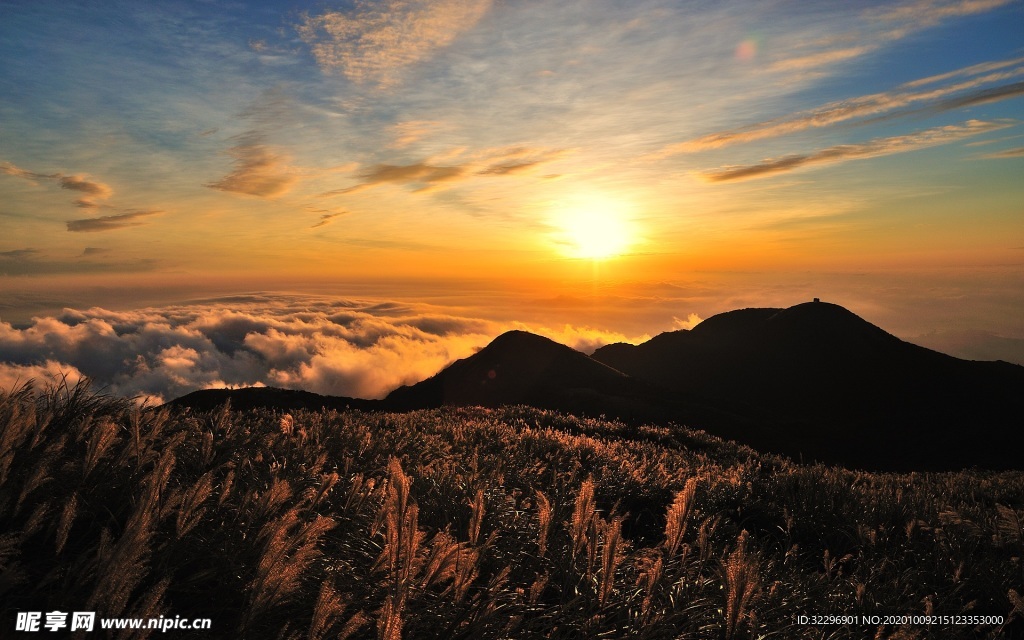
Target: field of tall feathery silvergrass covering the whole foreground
(480,524)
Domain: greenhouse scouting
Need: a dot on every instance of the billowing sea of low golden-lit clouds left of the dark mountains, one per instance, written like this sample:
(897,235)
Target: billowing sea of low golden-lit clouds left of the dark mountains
(331,347)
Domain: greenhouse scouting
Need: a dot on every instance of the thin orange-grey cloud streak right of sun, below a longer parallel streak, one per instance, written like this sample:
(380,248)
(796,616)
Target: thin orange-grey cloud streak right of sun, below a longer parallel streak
(842,153)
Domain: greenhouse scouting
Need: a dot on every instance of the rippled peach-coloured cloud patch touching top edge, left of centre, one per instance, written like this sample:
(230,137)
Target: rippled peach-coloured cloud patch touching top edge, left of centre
(375,40)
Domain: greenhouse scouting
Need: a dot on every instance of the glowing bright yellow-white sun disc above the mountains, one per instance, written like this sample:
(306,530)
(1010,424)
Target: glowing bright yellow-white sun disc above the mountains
(594,232)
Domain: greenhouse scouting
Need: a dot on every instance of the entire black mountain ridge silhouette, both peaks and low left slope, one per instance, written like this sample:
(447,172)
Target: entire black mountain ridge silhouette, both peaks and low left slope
(814,381)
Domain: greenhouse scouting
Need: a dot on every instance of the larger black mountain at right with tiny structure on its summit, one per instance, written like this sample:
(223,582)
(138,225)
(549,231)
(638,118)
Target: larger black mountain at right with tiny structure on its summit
(829,386)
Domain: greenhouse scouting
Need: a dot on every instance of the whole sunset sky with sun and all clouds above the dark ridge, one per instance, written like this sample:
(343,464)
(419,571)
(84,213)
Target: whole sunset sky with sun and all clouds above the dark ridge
(348,196)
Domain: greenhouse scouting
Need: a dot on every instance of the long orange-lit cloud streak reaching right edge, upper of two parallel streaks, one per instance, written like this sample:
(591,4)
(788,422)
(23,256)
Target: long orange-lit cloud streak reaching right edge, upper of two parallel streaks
(876,106)
